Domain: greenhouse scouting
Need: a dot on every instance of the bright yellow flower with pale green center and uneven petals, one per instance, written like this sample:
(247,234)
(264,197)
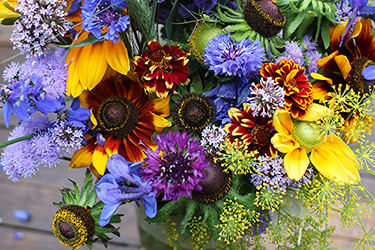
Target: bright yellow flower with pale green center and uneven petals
(298,139)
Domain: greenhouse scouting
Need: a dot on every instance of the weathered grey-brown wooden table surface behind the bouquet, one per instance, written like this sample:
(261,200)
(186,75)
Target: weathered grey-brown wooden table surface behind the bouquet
(37,194)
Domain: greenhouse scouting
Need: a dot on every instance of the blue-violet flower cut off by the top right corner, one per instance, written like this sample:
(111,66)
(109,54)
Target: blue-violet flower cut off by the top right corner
(360,8)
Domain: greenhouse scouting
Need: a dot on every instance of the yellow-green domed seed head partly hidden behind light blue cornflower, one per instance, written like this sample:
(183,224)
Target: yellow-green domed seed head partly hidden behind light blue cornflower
(203,33)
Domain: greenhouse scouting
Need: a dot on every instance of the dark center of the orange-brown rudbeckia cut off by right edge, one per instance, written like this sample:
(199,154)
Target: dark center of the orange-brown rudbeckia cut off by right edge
(358,83)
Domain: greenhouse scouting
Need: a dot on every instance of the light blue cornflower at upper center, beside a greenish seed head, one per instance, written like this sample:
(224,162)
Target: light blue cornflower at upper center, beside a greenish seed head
(233,58)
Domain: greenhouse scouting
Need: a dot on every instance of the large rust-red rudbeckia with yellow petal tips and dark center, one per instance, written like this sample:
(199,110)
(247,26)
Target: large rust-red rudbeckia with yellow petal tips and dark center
(125,116)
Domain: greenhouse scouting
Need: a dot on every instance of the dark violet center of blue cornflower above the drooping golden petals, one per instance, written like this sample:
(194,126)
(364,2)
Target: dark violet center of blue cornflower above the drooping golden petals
(106,14)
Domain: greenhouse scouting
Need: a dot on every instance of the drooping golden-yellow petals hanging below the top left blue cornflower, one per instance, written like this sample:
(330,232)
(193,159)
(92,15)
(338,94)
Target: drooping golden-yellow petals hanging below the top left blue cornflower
(88,64)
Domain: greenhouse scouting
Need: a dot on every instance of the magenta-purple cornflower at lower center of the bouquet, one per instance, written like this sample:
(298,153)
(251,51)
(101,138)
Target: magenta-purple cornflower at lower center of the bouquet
(176,166)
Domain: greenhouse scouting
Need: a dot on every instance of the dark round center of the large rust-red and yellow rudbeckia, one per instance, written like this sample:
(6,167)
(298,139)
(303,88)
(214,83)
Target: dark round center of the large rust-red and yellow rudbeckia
(117,116)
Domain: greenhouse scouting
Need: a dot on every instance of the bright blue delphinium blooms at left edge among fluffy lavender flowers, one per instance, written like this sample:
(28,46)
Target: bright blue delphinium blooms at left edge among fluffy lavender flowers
(25,98)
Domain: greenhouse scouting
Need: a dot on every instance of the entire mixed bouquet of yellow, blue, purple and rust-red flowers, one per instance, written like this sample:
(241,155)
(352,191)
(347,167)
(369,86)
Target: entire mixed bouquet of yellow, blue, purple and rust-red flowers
(230,124)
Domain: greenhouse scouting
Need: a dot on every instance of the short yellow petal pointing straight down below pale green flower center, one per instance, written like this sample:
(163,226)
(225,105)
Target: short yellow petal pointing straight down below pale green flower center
(296,163)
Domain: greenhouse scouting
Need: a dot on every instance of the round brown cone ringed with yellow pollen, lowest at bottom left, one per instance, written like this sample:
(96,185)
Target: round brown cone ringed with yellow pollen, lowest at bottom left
(74,226)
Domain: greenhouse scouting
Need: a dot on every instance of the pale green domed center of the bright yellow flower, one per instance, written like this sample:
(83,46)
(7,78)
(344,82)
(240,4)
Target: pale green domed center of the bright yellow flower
(307,135)
